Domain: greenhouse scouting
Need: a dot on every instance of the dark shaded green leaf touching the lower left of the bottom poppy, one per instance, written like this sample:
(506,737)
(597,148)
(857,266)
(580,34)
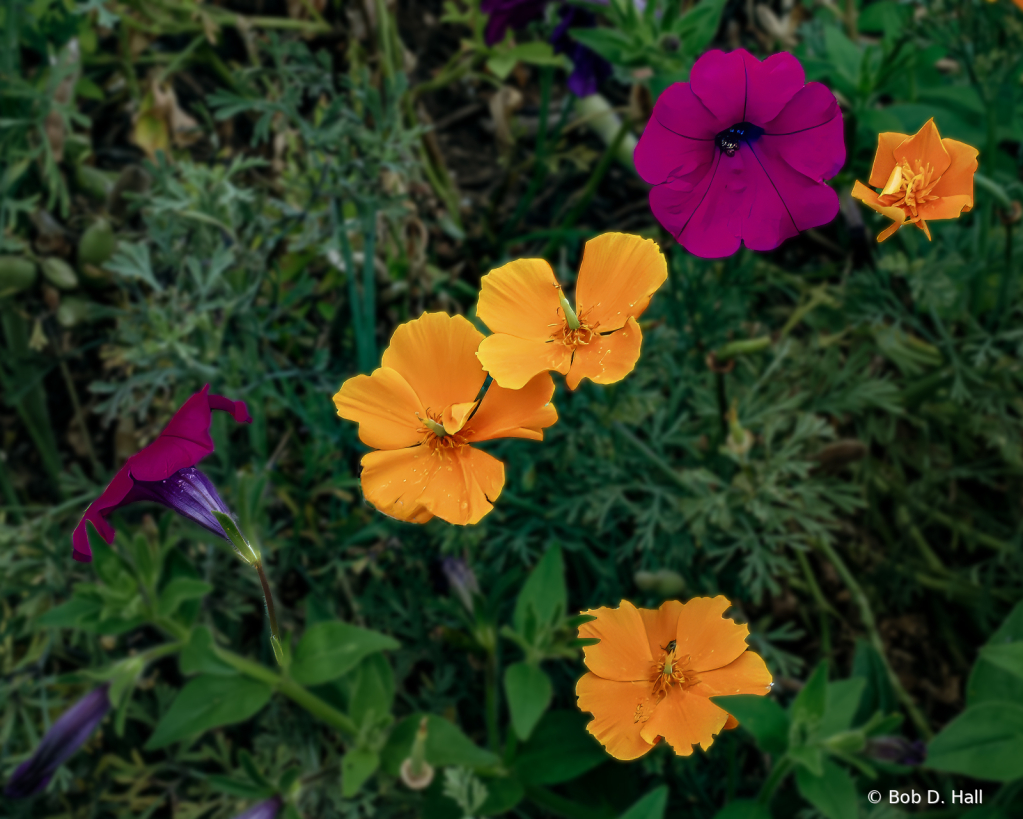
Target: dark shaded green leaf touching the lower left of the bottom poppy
(560,749)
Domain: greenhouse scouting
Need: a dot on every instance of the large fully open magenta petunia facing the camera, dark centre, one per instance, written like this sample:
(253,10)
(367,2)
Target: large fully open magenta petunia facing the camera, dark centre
(739,154)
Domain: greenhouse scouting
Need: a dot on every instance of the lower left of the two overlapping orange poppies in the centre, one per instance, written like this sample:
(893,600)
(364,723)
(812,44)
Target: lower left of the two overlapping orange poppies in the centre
(422,411)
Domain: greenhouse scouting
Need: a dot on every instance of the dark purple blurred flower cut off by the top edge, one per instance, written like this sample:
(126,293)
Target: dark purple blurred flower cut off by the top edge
(590,69)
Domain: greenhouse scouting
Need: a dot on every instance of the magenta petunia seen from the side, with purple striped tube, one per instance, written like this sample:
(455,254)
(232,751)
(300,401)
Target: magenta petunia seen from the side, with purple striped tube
(165,473)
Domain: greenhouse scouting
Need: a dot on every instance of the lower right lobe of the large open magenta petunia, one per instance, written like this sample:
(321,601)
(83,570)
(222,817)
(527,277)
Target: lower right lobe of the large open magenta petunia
(781,202)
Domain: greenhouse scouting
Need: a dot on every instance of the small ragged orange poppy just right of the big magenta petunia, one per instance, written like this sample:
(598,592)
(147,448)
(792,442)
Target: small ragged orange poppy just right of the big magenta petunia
(921,177)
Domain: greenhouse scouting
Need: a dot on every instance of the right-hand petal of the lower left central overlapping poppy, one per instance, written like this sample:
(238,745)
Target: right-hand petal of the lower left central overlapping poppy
(515,414)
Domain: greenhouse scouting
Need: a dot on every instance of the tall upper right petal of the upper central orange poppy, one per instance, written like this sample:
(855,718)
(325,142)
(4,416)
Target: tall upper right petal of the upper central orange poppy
(618,276)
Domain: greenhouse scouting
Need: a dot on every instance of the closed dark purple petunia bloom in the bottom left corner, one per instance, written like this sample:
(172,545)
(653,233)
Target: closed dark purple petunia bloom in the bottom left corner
(66,737)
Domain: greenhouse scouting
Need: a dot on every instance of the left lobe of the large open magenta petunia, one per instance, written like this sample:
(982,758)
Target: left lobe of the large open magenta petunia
(679,139)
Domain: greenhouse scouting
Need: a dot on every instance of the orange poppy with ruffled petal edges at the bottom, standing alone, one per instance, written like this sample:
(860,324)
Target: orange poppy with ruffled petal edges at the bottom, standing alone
(653,673)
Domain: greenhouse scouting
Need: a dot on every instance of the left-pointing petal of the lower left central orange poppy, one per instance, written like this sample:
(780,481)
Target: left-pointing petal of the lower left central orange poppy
(384,406)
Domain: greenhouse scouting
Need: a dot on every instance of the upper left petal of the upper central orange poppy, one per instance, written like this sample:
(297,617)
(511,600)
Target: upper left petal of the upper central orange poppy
(521,299)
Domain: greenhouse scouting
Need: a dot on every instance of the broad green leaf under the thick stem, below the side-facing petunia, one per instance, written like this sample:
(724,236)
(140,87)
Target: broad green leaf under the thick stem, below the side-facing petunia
(207,703)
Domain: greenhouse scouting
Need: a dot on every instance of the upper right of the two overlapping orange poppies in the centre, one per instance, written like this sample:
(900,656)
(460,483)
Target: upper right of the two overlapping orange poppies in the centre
(537,331)
